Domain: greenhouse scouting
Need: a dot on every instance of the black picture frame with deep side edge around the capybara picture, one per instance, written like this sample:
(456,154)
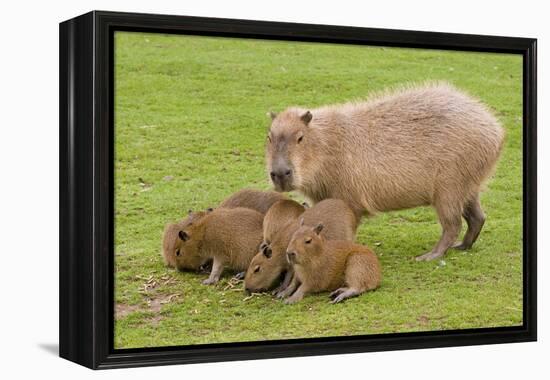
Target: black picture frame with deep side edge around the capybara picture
(86,189)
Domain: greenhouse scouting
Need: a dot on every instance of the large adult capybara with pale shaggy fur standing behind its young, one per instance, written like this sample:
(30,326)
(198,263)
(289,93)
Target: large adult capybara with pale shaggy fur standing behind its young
(428,145)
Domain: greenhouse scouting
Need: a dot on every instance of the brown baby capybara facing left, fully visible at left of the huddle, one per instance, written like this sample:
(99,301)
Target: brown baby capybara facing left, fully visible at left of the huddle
(230,237)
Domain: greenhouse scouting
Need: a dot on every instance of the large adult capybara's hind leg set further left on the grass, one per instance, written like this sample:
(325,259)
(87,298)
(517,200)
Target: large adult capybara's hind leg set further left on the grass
(450,217)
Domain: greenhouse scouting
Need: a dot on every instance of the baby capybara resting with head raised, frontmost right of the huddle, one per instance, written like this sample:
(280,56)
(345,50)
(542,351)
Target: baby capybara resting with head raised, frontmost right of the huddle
(345,268)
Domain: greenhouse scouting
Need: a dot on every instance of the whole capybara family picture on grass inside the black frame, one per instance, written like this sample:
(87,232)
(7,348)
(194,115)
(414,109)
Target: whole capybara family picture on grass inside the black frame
(269,190)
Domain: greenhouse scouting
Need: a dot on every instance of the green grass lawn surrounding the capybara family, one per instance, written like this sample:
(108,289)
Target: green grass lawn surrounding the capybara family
(190,130)
